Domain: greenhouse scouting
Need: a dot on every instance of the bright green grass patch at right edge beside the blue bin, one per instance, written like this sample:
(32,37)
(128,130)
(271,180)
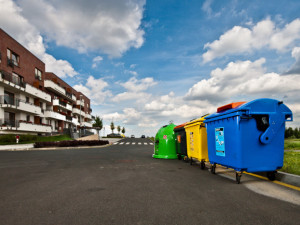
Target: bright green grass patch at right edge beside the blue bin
(291,162)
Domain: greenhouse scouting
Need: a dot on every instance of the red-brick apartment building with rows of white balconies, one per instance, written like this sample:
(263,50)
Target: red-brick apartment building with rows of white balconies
(34,101)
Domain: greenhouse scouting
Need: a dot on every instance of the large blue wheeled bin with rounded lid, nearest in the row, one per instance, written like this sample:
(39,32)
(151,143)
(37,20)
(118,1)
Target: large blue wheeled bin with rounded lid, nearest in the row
(248,136)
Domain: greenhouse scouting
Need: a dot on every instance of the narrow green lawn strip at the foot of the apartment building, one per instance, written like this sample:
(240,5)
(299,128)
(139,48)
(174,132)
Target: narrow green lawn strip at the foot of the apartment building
(10,139)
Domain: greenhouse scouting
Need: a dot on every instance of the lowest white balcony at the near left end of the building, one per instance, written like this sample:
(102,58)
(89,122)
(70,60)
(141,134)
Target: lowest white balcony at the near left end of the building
(21,125)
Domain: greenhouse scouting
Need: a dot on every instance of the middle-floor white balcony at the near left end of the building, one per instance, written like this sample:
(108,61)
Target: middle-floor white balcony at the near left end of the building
(16,104)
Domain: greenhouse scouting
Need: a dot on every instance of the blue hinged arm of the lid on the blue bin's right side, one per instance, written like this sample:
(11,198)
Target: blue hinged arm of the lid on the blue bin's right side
(275,122)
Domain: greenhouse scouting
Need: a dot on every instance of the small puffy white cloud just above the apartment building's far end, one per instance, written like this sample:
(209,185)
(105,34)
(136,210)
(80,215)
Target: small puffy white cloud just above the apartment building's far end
(95,90)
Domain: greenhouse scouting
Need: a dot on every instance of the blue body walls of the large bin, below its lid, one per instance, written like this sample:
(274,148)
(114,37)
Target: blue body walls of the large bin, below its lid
(243,149)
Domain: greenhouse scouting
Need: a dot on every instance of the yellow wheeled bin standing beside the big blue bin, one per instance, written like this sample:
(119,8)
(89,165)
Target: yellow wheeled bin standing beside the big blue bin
(196,139)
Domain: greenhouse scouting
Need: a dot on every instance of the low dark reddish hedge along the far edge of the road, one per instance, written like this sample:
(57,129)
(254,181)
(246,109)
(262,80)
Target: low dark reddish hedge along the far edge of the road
(69,143)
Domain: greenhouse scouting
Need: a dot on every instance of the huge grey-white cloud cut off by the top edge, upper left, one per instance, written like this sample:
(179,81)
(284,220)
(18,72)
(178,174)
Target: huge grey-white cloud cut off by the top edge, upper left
(109,26)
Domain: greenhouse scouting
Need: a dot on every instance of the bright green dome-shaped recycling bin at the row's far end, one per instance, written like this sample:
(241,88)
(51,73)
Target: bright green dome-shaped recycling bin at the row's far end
(165,144)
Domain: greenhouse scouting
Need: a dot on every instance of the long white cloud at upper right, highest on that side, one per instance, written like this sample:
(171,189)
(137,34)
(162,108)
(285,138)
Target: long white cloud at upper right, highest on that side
(242,39)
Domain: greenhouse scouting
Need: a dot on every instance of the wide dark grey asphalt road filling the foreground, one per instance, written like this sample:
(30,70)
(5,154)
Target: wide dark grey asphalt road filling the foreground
(123,184)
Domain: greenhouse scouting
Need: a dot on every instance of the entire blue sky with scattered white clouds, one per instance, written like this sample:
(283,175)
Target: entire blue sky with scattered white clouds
(144,63)
